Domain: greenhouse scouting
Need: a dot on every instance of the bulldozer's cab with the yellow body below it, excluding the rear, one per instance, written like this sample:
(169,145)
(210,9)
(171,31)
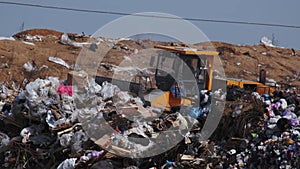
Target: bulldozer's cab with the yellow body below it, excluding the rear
(194,69)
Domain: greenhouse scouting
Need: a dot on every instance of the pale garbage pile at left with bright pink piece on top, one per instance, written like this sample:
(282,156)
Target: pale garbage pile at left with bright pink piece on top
(42,126)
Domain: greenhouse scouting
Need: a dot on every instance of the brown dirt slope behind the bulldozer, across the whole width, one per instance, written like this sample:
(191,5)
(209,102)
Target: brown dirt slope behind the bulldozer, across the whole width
(238,61)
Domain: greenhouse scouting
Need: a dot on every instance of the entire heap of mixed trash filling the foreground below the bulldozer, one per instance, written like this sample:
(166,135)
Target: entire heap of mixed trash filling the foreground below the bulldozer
(51,123)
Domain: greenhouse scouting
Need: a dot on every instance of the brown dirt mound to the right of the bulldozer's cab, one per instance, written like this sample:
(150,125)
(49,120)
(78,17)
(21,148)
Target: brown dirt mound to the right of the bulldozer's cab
(245,62)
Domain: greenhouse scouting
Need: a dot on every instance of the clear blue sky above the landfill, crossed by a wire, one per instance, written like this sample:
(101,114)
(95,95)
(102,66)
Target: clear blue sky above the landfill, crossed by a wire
(275,11)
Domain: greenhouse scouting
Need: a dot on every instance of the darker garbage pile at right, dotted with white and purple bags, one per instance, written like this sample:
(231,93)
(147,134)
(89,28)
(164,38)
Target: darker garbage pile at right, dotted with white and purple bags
(263,137)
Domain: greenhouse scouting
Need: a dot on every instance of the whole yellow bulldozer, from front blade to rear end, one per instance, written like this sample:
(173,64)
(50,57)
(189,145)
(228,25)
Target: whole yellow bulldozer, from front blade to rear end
(188,61)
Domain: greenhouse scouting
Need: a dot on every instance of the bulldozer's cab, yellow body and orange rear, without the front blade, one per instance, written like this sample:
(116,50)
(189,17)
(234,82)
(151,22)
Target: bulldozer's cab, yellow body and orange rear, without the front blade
(201,65)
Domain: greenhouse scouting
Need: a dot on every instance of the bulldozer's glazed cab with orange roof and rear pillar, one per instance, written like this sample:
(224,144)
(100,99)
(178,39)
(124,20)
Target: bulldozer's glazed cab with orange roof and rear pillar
(185,65)
